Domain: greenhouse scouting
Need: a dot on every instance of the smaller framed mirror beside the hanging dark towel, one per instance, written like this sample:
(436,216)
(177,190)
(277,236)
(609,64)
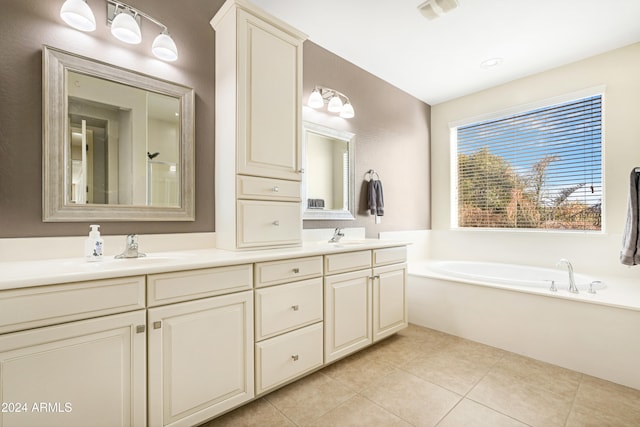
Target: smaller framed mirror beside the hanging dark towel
(328,181)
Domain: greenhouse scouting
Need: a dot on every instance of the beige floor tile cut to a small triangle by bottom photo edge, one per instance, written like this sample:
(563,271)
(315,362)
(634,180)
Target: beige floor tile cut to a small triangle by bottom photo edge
(471,414)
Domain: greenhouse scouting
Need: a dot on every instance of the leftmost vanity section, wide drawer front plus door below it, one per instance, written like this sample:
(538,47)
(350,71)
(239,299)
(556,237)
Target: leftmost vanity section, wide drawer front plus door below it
(74,354)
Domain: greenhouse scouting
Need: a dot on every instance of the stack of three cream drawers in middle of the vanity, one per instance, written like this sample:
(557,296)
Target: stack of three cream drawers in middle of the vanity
(288,320)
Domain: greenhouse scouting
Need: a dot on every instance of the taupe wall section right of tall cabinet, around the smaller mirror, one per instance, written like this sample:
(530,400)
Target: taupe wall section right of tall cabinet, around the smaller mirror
(392,137)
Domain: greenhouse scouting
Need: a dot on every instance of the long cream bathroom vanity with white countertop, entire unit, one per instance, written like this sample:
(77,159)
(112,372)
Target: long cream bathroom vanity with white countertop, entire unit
(178,338)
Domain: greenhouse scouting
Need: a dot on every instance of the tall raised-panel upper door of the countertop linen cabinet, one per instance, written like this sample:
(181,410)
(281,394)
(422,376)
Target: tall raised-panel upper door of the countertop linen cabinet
(269,98)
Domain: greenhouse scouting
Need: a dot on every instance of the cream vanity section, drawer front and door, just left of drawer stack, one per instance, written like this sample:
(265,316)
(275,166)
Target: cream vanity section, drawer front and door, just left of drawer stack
(201,350)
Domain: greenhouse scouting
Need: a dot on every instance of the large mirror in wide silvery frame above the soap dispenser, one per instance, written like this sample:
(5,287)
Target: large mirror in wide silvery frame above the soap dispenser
(117,145)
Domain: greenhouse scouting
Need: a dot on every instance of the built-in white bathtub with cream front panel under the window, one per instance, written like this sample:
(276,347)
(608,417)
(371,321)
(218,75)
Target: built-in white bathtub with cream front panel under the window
(512,307)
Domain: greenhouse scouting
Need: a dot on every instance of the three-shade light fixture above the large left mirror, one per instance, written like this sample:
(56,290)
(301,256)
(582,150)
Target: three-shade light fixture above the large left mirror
(125,25)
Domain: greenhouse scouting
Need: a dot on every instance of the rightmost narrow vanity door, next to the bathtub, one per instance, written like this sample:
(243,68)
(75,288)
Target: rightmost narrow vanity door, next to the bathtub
(389,300)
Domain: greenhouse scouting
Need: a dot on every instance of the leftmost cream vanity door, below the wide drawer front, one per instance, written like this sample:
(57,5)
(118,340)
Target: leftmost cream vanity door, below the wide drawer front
(84,373)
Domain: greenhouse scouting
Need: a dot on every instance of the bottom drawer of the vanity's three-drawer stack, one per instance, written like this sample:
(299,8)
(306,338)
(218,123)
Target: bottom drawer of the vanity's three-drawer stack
(288,356)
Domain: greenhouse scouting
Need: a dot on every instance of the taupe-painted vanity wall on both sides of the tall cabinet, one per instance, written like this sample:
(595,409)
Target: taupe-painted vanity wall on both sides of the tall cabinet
(391,126)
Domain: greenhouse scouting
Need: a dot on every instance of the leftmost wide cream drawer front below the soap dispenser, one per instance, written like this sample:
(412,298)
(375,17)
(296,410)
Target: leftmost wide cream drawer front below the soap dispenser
(47,305)
